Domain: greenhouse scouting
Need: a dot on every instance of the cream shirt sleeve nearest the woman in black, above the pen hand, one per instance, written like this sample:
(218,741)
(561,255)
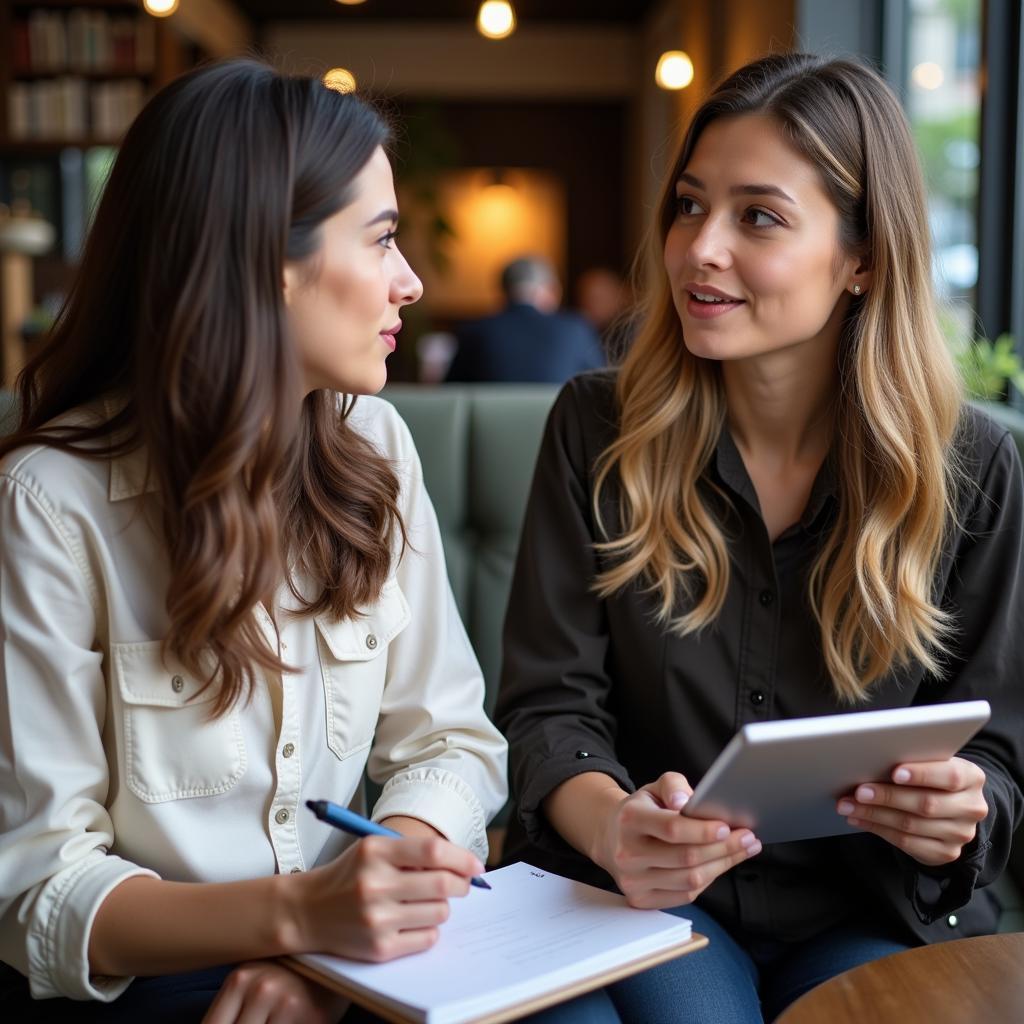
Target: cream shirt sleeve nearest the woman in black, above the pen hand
(440,757)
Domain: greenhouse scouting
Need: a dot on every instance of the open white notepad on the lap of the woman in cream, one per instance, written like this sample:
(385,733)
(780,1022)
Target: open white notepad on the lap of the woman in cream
(534,941)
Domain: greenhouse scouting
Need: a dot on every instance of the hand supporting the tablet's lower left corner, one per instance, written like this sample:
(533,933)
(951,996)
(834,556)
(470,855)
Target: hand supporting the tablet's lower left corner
(661,859)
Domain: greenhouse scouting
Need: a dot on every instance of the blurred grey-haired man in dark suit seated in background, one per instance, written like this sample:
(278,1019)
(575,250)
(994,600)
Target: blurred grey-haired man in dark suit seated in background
(530,342)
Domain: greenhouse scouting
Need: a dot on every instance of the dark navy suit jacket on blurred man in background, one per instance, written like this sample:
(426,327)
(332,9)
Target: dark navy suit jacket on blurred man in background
(522,345)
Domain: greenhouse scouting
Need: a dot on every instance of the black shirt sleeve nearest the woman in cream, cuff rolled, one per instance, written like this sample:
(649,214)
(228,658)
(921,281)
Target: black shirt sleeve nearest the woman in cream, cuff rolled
(553,705)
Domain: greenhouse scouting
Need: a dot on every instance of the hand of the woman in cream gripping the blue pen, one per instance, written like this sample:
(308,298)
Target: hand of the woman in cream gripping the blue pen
(382,899)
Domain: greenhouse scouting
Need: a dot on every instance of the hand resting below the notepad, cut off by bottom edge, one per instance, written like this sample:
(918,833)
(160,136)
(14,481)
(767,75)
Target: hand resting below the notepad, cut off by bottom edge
(267,993)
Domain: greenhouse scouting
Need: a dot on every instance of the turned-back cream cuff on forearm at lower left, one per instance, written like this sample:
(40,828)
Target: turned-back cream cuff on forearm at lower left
(59,942)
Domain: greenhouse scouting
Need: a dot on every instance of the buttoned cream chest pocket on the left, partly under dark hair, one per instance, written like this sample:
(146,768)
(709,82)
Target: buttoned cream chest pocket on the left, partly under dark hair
(173,749)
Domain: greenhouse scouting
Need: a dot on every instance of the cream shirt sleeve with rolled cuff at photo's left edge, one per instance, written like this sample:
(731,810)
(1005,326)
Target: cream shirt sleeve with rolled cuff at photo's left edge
(55,830)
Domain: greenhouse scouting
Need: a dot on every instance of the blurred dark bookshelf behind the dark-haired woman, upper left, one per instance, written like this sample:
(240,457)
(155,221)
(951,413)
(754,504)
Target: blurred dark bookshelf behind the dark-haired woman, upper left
(73,76)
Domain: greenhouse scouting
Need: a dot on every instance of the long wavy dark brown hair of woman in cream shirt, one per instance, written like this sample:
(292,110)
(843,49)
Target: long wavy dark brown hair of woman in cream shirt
(178,311)
